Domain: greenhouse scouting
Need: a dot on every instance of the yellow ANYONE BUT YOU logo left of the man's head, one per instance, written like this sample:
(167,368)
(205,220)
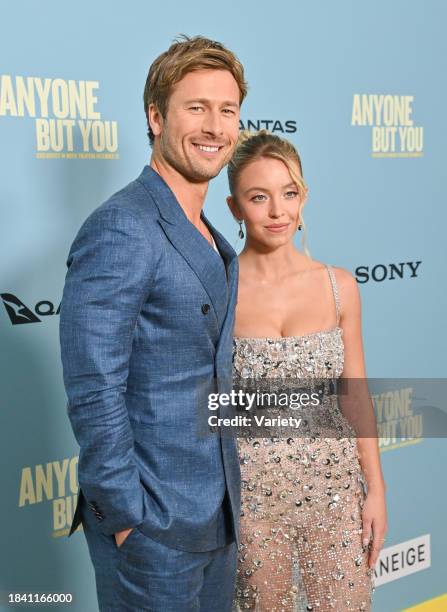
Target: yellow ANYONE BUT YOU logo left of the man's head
(67,122)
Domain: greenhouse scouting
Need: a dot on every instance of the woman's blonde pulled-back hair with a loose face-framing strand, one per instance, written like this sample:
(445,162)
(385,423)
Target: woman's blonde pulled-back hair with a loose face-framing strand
(252,146)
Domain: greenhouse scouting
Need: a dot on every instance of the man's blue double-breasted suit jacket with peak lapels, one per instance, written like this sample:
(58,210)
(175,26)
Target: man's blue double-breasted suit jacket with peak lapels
(146,324)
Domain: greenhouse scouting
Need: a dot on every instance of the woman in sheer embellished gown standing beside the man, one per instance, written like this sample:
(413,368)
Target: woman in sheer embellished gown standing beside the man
(313,508)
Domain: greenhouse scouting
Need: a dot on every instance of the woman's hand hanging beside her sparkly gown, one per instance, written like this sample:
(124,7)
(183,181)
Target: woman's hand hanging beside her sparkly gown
(374,520)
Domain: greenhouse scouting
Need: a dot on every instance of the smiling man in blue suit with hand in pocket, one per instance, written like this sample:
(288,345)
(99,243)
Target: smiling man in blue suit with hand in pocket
(146,324)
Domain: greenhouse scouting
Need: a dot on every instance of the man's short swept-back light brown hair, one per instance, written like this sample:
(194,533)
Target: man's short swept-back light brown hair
(183,56)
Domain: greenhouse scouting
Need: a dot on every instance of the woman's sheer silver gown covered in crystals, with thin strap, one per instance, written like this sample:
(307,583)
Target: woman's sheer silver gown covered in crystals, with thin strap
(301,528)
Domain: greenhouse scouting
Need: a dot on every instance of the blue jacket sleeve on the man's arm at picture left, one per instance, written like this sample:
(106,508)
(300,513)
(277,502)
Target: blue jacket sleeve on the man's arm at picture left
(108,280)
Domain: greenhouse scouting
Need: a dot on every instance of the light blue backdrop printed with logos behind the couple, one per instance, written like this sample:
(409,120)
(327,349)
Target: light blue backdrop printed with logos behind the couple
(360,89)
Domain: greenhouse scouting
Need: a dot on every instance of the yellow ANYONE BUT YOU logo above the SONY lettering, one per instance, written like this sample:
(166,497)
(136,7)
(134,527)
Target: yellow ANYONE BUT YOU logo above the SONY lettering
(393,133)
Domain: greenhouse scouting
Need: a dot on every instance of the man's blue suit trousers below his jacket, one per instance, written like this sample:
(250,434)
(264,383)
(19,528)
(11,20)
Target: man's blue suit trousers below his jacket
(143,574)
